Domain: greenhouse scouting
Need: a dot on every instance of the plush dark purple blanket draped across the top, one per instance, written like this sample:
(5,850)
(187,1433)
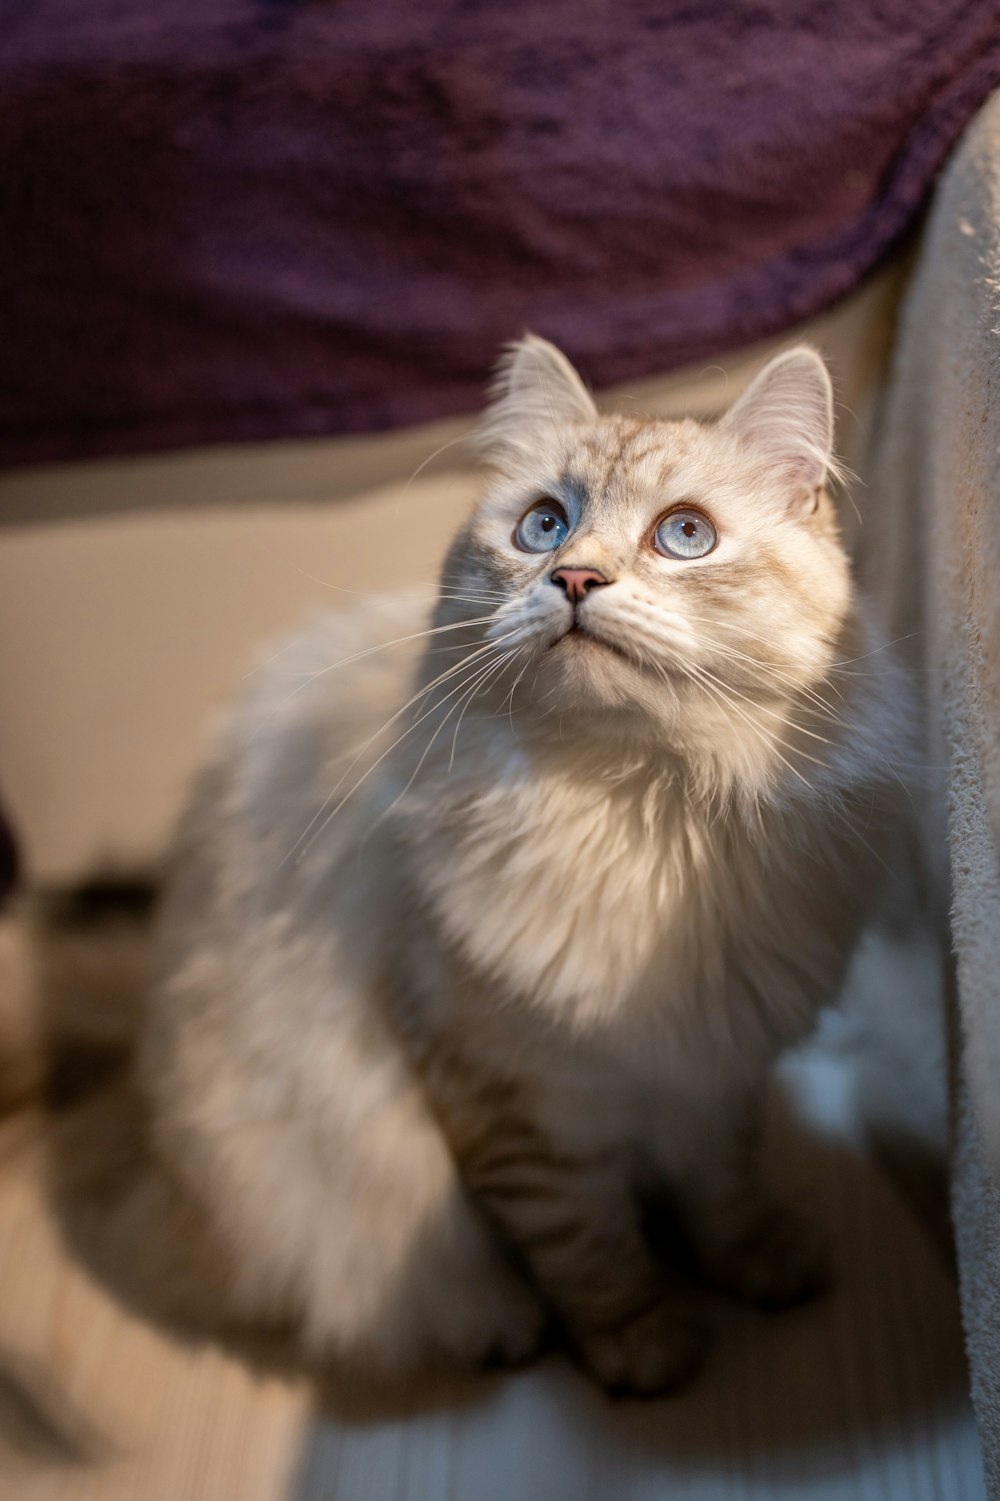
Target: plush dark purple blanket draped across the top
(233,220)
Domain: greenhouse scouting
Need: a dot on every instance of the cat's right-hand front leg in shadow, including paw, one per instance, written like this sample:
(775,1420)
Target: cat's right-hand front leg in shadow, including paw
(748,1244)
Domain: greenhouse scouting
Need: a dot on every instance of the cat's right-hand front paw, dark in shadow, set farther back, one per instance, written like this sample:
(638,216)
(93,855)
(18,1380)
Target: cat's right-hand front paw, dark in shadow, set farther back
(779,1262)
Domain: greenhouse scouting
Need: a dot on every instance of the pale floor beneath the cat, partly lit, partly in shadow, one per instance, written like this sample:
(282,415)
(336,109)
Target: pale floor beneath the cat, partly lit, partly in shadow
(861,1395)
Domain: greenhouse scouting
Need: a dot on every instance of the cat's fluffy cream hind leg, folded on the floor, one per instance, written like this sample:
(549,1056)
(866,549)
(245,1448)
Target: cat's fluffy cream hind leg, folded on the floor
(336,1202)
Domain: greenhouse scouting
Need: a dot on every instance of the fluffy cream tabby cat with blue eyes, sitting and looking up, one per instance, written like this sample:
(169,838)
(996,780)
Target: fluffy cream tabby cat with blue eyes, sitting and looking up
(478,937)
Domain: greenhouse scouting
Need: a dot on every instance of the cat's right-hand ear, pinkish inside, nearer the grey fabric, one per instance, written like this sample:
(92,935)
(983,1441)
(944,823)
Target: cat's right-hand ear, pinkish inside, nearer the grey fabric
(788,415)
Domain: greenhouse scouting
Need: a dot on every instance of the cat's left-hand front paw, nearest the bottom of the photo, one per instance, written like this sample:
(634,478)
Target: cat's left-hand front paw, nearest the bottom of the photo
(657,1352)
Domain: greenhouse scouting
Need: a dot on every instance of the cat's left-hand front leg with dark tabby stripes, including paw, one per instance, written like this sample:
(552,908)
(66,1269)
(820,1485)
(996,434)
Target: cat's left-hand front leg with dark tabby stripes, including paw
(577,1226)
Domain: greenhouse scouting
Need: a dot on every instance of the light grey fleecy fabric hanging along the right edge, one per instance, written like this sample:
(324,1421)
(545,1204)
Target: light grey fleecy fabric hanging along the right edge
(939,487)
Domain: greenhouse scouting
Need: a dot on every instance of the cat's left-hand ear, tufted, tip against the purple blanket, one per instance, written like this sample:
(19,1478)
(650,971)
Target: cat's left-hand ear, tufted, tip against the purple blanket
(535,391)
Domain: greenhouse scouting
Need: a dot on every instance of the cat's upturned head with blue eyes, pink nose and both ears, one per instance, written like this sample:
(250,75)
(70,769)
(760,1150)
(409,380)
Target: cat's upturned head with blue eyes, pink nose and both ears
(678,580)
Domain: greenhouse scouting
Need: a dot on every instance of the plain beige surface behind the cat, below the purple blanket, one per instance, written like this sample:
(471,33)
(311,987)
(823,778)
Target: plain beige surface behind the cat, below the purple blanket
(134,595)
